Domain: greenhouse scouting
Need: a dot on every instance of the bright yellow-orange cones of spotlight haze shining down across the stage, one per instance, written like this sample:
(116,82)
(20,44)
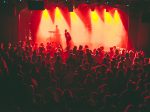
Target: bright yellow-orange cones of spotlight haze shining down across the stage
(107,33)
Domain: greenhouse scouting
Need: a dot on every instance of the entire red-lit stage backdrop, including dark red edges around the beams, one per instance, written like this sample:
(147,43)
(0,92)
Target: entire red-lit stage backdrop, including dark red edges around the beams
(101,27)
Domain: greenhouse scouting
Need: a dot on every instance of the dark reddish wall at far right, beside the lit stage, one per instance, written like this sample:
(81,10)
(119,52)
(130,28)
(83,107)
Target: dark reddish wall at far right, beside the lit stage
(139,31)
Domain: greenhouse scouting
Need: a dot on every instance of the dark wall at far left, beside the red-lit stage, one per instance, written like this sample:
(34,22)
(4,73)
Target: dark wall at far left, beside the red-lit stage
(8,24)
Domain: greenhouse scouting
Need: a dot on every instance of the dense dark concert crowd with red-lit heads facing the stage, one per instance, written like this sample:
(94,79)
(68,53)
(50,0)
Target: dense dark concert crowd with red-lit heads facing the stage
(45,78)
